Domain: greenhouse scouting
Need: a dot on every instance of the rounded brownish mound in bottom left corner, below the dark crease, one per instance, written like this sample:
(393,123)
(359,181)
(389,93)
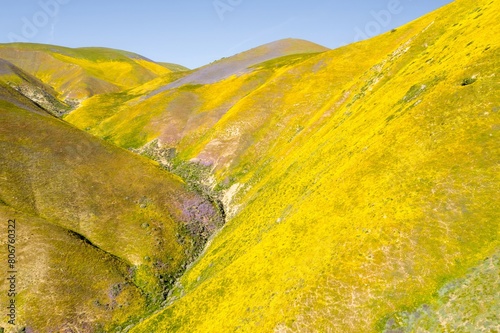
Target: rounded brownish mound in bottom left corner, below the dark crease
(65,283)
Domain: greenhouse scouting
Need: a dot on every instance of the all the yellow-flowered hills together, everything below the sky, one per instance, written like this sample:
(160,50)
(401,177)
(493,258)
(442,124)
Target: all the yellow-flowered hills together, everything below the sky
(358,185)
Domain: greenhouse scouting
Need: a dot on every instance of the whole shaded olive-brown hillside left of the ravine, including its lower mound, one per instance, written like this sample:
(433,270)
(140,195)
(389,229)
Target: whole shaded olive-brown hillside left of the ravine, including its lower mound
(143,224)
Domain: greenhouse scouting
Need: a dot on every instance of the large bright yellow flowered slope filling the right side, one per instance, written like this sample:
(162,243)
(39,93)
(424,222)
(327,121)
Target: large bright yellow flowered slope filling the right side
(366,188)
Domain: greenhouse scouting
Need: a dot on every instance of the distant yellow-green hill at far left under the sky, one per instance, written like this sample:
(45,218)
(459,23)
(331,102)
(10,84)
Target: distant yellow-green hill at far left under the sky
(80,73)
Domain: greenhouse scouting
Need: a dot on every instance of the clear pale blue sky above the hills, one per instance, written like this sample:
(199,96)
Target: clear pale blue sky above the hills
(196,32)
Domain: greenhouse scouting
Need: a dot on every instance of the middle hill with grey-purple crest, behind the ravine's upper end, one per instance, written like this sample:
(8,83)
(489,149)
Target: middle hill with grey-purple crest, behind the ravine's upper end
(186,108)
